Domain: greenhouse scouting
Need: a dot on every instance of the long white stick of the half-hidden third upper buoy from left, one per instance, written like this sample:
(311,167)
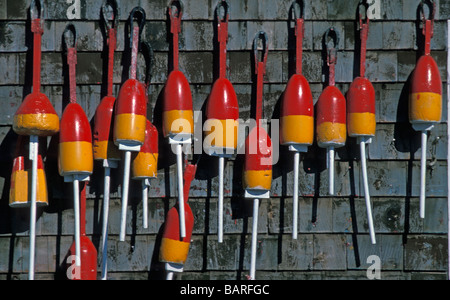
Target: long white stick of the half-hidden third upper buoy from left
(106,188)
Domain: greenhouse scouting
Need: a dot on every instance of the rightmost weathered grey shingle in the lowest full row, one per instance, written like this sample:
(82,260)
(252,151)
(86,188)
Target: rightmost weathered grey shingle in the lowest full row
(426,253)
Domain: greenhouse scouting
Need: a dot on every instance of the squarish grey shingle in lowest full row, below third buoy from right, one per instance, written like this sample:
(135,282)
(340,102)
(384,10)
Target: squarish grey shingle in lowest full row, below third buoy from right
(329,252)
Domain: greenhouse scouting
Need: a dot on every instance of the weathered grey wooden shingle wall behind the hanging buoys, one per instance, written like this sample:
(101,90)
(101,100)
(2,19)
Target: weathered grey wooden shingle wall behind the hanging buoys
(333,238)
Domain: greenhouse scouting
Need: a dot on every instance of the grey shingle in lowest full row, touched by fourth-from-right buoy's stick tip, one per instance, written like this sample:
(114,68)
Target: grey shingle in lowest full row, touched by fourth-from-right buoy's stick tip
(297,254)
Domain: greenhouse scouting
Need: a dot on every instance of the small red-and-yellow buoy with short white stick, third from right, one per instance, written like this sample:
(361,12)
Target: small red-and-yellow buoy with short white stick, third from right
(331,129)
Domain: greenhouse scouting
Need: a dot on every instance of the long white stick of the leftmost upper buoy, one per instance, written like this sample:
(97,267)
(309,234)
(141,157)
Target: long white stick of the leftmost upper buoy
(34,145)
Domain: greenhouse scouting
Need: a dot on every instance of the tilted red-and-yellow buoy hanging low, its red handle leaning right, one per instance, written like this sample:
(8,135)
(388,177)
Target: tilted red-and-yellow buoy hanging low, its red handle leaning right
(174,248)
